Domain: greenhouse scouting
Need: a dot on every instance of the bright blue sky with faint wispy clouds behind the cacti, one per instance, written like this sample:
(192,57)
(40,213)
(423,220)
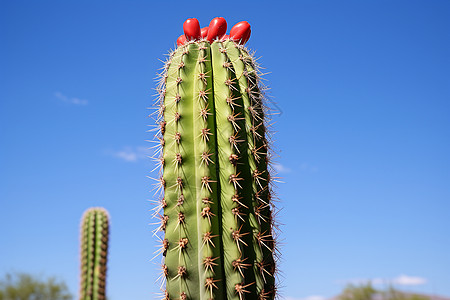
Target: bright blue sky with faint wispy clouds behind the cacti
(363,135)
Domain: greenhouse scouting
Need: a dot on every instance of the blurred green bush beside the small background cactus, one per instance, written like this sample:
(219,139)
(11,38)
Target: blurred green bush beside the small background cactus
(21,286)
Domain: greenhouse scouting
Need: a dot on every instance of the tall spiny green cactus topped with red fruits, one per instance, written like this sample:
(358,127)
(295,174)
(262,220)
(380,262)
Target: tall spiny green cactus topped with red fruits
(216,201)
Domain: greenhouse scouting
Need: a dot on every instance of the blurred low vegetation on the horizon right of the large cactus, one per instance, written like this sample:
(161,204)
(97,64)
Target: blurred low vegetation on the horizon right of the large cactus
(368,292)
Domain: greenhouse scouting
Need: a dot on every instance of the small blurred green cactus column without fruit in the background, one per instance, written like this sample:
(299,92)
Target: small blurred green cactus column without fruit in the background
(94,250)
